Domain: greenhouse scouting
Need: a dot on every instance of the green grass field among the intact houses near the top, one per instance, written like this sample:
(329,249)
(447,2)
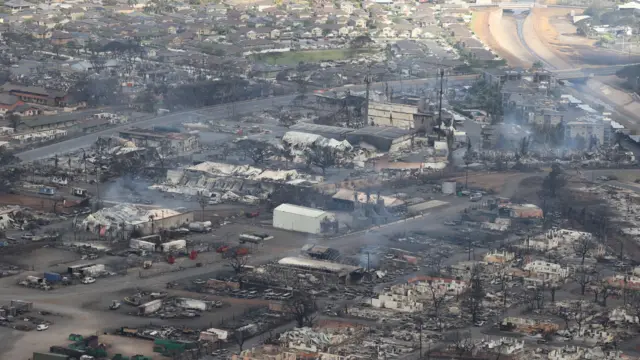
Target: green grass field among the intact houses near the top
(310,56)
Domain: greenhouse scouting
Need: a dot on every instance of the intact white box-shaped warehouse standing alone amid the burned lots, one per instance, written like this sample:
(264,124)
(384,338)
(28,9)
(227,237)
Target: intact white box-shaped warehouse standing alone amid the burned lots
(300,218)
